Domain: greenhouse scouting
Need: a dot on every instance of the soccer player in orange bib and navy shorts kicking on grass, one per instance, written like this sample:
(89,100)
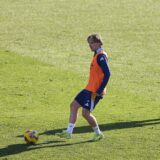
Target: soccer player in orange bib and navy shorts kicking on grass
(93,92)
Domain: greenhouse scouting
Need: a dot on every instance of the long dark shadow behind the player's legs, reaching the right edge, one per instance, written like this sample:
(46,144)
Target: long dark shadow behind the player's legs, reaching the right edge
(109,126)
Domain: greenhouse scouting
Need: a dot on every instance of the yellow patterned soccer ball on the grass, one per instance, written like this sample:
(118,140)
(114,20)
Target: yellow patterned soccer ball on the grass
(31,136)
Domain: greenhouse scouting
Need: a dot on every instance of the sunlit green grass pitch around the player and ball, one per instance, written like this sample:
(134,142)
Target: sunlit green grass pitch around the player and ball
(44,62)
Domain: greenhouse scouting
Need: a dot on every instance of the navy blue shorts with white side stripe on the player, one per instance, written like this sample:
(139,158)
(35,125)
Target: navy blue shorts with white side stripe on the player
(84,98)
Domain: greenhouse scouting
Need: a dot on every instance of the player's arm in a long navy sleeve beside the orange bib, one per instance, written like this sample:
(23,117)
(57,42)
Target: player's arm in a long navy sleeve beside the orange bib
(103,63)
